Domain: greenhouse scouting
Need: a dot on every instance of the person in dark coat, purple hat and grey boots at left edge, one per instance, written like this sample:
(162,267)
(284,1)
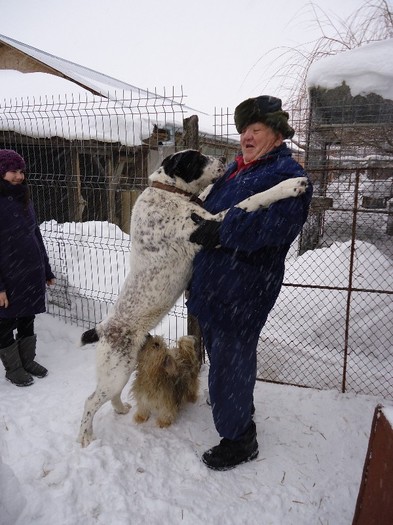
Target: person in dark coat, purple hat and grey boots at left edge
(24,273)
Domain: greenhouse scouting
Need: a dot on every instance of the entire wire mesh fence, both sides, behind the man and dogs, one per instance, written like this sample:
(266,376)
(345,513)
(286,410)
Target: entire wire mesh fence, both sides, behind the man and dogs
(88,160)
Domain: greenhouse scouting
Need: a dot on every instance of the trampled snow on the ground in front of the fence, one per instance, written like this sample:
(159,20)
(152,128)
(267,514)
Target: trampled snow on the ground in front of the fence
(312,449)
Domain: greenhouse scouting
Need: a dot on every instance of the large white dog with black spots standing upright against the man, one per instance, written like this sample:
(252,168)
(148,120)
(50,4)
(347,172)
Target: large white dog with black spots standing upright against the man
(160,267)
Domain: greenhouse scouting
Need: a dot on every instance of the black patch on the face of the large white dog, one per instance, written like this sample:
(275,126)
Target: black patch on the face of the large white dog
(188,165)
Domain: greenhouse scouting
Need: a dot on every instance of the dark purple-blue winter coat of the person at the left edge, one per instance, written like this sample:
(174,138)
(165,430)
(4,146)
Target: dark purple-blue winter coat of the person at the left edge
(24,265)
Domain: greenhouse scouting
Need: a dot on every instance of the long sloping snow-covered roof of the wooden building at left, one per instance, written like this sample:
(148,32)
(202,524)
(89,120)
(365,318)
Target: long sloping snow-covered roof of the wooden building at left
(44,86)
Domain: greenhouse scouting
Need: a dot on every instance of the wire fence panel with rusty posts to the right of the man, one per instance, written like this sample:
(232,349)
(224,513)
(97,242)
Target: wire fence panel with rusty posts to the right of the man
(332,324)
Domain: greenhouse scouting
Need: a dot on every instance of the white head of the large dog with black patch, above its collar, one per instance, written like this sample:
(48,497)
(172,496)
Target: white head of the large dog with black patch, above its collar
(189,170)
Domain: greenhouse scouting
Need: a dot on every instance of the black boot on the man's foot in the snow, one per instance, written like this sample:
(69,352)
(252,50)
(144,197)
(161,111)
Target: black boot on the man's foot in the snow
(229,453)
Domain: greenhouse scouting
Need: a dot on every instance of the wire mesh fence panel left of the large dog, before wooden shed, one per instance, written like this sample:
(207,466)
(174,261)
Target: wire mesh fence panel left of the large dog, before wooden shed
(88,160)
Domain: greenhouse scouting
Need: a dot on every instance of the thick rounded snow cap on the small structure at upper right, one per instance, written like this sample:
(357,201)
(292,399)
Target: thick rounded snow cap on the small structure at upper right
(366,69)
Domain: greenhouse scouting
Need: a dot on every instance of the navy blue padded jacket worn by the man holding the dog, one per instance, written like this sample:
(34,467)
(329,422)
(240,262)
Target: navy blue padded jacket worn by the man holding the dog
(240,281)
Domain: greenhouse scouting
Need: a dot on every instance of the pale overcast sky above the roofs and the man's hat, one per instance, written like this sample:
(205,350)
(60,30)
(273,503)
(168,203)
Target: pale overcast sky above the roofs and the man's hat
(214,50)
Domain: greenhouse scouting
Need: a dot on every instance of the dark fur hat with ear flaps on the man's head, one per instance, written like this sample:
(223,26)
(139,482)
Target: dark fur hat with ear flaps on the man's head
(265,109)
